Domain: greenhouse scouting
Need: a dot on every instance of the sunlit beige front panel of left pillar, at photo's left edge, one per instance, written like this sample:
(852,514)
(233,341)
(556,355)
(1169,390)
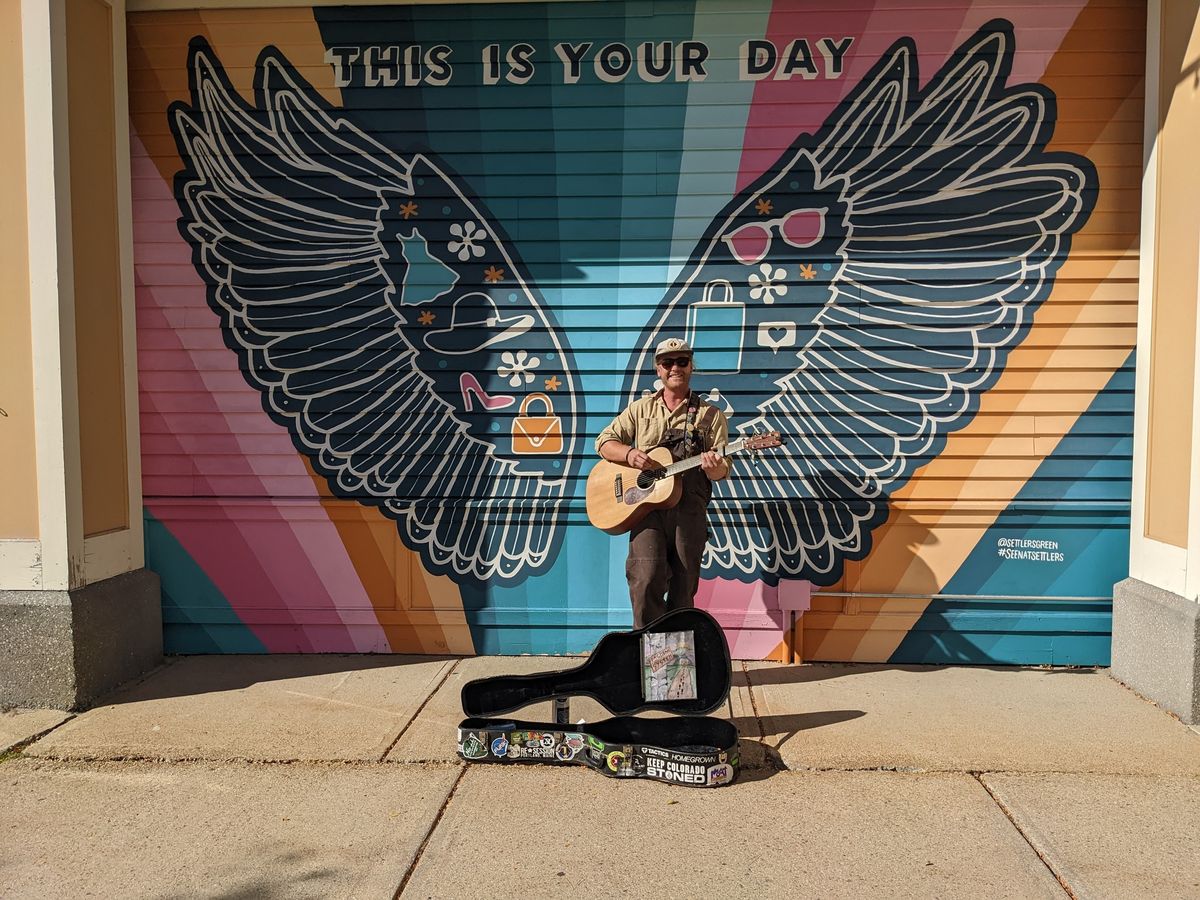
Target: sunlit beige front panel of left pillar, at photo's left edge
(19,475)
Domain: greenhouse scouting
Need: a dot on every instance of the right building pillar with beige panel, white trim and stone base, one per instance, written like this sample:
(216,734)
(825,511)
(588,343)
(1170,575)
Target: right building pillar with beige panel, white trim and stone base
(1156,619)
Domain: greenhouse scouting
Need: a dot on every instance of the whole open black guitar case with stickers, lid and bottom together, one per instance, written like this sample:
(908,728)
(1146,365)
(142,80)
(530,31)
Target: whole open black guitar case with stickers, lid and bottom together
(677,664)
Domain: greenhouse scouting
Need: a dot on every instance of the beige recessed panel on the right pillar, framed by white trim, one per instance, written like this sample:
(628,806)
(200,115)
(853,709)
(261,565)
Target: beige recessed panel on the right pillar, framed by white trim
(1169,452)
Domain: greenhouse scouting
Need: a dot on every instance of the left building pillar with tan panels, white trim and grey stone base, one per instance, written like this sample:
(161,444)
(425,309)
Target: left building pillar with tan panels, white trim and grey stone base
(79,611)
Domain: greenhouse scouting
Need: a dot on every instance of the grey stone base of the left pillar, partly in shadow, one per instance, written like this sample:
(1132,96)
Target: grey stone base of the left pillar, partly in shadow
(64,649)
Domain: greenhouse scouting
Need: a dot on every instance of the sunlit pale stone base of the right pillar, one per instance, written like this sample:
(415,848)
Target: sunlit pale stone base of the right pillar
(1156,646)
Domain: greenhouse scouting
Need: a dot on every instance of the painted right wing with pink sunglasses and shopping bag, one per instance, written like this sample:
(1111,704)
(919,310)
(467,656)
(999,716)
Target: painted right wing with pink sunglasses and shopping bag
(899,256)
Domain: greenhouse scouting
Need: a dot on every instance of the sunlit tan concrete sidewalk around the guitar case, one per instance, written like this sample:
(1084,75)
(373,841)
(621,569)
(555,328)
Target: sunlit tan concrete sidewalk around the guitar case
(244,777)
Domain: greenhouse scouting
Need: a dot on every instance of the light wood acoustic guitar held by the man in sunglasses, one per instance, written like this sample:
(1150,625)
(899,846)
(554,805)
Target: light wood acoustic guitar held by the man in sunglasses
(619,497)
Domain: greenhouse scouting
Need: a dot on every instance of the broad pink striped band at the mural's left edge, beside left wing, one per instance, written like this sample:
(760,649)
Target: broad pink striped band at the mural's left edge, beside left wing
(278,556)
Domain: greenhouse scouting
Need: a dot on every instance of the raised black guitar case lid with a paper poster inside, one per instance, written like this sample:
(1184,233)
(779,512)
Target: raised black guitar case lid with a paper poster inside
(677,664)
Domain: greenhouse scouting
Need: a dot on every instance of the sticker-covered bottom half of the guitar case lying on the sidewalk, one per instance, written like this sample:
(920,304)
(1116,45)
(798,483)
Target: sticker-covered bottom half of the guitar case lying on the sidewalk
(700,752)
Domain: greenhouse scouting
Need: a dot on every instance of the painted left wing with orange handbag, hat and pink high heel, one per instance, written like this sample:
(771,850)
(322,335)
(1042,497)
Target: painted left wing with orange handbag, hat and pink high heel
(383,319)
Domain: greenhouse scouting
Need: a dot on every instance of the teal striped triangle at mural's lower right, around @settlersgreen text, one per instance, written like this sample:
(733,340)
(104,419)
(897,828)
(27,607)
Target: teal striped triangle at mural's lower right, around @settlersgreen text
(1079,499)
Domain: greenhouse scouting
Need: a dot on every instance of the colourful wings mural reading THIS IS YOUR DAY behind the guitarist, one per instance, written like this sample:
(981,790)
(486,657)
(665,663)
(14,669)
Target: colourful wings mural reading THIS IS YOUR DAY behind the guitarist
(442,243)
